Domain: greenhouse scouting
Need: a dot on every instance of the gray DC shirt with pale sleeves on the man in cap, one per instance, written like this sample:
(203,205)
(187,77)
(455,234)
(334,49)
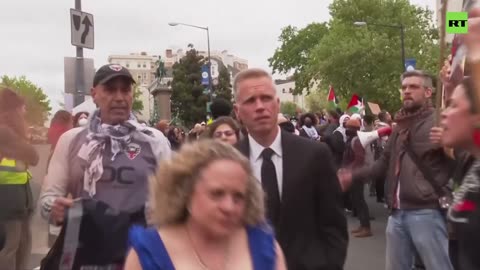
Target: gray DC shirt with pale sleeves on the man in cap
(124,182)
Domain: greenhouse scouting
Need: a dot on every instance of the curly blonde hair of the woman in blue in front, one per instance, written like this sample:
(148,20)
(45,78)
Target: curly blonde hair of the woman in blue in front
(173,184)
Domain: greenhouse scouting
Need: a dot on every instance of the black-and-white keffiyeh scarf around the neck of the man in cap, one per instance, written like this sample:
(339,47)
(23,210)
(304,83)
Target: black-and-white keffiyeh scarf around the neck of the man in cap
(92,150)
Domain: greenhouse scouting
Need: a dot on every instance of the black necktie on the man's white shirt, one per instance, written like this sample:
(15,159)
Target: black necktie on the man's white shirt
(270,186)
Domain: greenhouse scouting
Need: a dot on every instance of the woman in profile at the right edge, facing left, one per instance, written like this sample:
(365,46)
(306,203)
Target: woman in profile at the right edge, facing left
(457,126)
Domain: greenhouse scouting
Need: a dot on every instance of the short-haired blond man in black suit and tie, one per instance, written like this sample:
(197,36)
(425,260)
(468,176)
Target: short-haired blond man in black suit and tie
(298,175)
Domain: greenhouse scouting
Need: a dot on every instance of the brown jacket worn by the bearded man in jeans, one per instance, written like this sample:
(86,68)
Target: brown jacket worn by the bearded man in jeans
(401,172)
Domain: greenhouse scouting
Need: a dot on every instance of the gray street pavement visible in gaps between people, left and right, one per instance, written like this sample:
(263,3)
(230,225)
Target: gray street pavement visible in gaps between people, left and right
(363,254)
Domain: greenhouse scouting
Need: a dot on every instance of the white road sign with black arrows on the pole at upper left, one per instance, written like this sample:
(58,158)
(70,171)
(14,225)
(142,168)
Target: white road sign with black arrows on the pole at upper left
(82,29)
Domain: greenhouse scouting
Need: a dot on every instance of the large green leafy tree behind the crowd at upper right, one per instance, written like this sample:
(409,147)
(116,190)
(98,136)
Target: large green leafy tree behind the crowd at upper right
(367,60)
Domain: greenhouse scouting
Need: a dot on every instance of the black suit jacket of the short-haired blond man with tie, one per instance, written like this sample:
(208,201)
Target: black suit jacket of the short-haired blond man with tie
(312,230)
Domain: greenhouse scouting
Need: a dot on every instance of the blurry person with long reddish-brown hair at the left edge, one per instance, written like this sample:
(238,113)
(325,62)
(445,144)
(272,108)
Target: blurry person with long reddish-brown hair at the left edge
(15,193)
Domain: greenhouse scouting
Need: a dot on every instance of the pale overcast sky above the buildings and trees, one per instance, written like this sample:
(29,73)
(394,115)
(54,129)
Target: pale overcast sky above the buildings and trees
(36,34)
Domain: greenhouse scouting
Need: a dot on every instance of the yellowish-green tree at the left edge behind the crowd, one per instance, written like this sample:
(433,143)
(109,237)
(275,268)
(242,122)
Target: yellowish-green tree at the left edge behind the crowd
(37,103)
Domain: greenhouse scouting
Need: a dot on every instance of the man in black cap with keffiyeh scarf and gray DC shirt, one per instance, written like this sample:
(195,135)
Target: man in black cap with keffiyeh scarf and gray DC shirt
(110,159)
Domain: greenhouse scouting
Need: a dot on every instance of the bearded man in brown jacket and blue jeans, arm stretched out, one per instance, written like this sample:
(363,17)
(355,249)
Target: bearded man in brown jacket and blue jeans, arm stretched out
(416,222)
